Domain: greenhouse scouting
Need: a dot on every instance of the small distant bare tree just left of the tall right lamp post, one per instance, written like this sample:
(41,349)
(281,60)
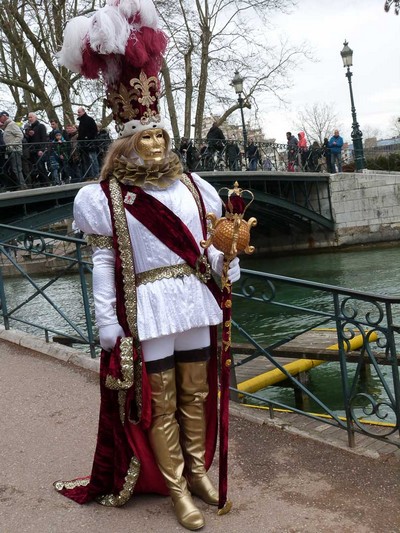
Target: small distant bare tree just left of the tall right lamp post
(317,121)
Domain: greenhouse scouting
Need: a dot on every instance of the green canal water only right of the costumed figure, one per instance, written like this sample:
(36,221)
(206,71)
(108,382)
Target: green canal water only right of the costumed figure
(373,270)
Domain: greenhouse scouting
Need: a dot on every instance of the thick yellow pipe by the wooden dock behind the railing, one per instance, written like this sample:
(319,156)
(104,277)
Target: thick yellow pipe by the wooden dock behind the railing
(300,365)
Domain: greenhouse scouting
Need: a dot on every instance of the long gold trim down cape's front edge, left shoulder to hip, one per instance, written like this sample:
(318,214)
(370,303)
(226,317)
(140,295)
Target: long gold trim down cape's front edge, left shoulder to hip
(126,253)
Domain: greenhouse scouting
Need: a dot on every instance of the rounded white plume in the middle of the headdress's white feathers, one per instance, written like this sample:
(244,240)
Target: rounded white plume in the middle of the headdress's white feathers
(109,31)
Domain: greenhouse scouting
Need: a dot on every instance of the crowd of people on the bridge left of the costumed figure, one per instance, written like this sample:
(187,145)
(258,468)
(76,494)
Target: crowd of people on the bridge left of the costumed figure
(31,156)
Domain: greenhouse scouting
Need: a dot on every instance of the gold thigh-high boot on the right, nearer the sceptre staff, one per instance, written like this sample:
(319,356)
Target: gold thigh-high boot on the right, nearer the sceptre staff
(192,391)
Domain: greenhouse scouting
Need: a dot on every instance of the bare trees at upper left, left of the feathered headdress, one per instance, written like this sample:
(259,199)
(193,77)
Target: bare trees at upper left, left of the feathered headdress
(31,33)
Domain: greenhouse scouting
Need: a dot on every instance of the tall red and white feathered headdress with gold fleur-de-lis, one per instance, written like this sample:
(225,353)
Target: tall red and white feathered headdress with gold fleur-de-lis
(122,44)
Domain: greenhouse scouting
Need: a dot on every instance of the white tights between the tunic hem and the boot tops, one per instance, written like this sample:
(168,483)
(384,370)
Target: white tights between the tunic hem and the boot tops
(162,347)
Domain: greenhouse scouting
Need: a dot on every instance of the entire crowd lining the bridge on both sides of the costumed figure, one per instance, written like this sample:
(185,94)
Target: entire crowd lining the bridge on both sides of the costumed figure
(31,156)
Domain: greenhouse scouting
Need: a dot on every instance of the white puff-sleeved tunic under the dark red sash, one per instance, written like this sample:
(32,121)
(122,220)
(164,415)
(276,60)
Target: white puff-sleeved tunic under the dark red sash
(165,306)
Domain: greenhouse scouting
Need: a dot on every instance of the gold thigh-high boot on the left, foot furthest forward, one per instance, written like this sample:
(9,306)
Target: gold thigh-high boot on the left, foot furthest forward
(164,440)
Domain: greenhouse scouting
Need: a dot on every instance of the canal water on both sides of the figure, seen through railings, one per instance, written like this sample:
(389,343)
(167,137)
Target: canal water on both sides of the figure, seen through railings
(374,270)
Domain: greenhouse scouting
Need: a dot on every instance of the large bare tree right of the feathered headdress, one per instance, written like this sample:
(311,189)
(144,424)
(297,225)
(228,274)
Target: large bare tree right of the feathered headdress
(209,40)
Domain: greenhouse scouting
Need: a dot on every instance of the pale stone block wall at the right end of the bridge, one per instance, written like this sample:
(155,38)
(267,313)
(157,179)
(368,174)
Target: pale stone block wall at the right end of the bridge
(366,207)
